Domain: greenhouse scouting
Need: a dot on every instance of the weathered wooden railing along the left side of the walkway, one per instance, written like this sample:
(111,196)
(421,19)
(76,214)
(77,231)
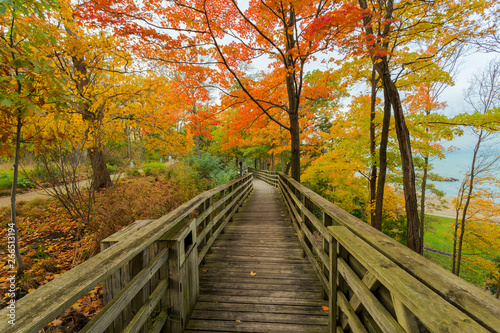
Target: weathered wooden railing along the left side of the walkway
(149,270)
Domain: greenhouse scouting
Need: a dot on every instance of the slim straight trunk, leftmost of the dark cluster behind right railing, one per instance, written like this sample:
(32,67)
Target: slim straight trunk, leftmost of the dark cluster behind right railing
(373,176)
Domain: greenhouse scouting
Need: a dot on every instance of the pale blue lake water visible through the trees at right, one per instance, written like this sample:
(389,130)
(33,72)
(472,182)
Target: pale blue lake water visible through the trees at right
(455,165)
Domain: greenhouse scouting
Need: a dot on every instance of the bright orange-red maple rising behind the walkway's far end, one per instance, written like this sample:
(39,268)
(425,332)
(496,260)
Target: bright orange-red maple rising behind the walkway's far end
(230,36)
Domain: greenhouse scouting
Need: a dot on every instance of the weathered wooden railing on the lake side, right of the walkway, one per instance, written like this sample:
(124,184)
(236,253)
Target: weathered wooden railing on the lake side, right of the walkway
(375,284)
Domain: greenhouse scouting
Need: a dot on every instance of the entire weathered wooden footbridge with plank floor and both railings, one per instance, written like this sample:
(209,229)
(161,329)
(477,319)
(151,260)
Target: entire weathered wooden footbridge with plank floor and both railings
(260,255)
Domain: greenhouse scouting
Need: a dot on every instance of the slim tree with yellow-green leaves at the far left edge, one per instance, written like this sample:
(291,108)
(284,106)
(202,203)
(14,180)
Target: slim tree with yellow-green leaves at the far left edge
(27,82)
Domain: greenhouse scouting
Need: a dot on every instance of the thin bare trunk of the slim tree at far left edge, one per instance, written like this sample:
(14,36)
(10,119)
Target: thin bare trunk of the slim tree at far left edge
(19,258)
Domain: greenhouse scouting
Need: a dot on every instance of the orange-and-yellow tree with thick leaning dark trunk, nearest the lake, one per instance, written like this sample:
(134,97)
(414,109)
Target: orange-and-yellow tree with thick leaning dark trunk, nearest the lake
(400,37)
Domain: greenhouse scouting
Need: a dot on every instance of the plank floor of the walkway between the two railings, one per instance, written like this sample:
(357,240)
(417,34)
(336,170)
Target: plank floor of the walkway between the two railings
(256,279)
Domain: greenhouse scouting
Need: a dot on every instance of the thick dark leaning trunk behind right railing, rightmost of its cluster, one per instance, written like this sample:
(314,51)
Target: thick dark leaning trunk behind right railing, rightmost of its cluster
(403,135)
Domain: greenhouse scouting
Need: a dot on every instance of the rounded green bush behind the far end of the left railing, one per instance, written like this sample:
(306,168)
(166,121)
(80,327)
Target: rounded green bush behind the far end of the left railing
(212,169)
